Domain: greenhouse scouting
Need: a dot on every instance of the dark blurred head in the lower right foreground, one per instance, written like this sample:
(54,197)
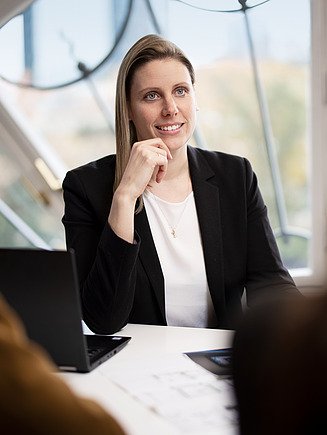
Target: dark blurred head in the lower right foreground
(280,368)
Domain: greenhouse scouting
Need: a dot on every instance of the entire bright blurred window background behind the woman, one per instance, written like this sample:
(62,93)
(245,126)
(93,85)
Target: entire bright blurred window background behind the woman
(256,63)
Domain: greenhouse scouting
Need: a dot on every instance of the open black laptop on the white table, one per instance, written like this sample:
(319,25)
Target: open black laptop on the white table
(42,287)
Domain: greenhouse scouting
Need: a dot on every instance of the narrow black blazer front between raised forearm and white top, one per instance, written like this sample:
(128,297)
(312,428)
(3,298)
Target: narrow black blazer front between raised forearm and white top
(150,260)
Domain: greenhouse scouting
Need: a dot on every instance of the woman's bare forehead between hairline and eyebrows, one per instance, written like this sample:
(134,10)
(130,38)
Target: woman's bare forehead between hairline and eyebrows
(160,72)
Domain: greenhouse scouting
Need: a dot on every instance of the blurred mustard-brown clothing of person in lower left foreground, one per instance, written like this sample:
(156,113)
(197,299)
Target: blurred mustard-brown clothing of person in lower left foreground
(33,399)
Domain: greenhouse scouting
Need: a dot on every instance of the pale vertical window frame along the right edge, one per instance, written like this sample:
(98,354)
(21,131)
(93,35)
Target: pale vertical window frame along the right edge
(313,279)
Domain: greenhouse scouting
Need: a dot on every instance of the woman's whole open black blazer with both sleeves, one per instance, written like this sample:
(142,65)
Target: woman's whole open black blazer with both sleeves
(122,282)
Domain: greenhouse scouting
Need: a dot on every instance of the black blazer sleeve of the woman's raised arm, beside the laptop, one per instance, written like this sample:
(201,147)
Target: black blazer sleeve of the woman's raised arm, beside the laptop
(106,263)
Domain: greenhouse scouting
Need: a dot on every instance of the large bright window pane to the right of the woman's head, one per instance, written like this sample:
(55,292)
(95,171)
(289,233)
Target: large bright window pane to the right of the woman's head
(230,118)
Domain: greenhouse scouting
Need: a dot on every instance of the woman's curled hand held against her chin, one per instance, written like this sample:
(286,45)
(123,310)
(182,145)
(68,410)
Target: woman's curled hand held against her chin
(148,161)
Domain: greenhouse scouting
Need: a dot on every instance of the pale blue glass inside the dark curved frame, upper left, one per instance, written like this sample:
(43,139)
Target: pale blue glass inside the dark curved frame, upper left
(50,44)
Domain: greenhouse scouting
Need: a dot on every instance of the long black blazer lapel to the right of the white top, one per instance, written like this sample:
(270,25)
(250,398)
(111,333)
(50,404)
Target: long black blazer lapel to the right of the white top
(207,202)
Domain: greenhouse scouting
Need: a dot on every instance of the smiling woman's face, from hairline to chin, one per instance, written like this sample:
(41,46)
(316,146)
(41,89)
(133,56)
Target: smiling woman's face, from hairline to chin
(162,102)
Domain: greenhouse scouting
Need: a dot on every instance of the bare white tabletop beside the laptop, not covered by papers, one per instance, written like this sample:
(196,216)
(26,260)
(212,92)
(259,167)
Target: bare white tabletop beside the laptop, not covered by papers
(147,342)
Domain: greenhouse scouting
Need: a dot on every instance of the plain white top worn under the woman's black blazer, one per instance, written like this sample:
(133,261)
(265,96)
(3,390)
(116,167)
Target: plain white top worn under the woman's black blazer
(176,234)
